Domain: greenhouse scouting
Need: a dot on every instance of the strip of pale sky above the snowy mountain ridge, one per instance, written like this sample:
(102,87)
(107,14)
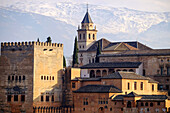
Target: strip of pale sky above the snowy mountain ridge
(143,5)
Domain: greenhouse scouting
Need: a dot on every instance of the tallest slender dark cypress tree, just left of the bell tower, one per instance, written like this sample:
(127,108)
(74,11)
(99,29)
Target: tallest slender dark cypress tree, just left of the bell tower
(75,53)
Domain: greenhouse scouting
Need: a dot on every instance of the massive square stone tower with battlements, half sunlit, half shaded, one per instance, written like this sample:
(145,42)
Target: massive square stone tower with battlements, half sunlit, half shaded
(30,75)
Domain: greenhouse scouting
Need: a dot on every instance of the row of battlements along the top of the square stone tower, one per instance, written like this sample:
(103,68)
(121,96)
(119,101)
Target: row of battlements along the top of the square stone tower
(13,44)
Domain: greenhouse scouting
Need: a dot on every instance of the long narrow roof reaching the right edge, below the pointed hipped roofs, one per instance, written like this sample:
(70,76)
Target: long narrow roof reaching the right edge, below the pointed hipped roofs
(154,52)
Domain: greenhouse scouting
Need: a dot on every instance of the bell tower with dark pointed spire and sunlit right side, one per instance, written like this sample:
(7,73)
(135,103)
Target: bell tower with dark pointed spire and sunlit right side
(86,33)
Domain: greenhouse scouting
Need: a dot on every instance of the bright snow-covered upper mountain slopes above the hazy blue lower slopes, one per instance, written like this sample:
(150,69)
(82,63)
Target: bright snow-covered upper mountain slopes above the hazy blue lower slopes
(107,19)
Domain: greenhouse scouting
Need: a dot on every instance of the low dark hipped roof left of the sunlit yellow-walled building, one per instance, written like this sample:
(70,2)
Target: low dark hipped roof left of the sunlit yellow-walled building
(98,89)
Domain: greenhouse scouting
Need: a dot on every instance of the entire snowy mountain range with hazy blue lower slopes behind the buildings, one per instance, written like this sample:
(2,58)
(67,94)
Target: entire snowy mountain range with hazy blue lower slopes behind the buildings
(31,19)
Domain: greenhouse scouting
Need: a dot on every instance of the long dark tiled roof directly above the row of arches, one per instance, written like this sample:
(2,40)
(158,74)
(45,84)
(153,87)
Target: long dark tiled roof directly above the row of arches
(112,65)
